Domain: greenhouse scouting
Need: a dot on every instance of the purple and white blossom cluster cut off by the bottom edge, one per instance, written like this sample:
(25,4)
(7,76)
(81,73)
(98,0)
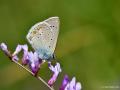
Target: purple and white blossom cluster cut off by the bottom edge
(70,85)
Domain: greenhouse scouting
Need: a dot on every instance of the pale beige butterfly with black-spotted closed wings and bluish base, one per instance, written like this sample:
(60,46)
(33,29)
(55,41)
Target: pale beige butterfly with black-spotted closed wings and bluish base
(43,37)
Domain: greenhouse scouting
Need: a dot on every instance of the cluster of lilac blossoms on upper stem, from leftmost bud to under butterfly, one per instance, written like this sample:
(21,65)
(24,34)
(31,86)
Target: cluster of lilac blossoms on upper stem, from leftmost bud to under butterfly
(28,57)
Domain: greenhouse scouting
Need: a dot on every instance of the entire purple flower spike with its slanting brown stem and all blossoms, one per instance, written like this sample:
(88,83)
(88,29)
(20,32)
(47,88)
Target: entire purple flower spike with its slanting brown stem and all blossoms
(32,59)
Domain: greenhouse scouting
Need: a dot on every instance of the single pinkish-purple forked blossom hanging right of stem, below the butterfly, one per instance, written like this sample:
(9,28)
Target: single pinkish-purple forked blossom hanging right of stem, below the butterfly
(56,70)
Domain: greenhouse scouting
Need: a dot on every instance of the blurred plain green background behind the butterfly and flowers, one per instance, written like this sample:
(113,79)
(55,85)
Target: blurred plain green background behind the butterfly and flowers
(88,45)
